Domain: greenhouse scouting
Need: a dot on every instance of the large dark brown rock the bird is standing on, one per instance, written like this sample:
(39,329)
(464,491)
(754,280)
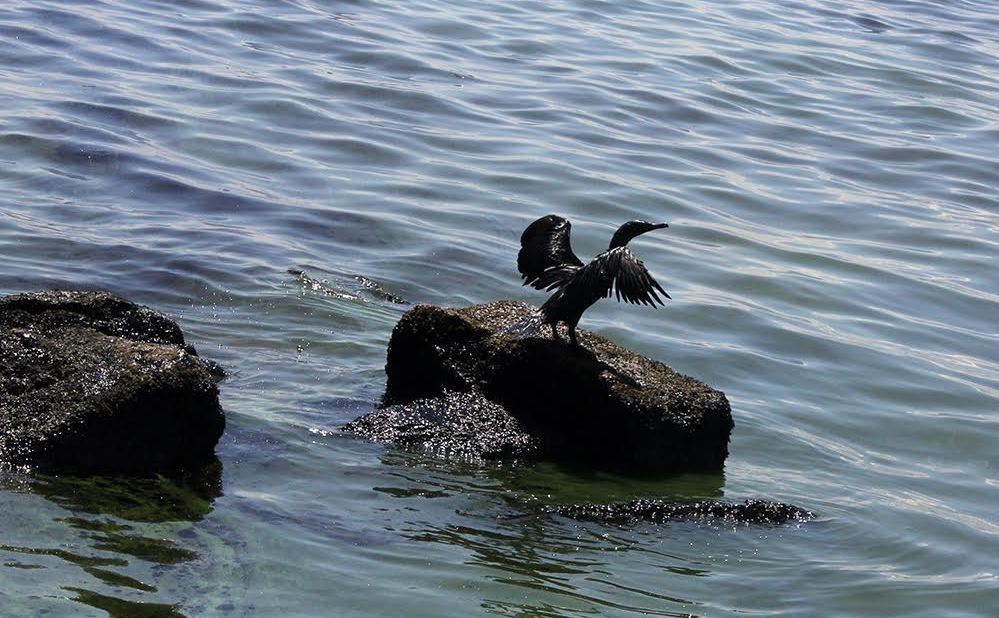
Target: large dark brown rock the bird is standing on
(600,404)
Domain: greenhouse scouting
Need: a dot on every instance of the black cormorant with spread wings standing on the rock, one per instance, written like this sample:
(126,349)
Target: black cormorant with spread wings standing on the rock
(546,262)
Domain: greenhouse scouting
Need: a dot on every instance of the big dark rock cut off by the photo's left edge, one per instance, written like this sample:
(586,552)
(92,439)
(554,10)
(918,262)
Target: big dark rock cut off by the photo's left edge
(90,382)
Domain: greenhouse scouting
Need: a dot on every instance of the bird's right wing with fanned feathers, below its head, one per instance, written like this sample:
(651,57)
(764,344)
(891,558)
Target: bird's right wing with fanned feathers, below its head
(618,271)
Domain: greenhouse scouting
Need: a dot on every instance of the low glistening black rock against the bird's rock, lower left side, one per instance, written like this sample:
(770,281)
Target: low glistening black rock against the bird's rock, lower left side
(456,425)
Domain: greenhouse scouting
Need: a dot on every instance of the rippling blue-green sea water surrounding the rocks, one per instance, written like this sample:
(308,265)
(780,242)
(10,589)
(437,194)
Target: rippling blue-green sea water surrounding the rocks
(829,173)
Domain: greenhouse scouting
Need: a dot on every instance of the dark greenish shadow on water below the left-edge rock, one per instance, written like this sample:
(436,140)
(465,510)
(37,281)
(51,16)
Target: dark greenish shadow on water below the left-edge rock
(110,515)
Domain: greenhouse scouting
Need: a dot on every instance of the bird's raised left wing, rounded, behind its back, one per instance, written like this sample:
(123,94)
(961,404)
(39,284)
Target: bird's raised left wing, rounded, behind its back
(546,258)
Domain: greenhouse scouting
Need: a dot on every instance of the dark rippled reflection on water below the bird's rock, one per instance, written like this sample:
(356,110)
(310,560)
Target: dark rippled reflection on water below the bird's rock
(562,567)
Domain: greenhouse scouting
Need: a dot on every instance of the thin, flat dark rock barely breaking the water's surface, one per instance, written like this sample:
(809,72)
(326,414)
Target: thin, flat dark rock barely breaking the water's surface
(659,511)
